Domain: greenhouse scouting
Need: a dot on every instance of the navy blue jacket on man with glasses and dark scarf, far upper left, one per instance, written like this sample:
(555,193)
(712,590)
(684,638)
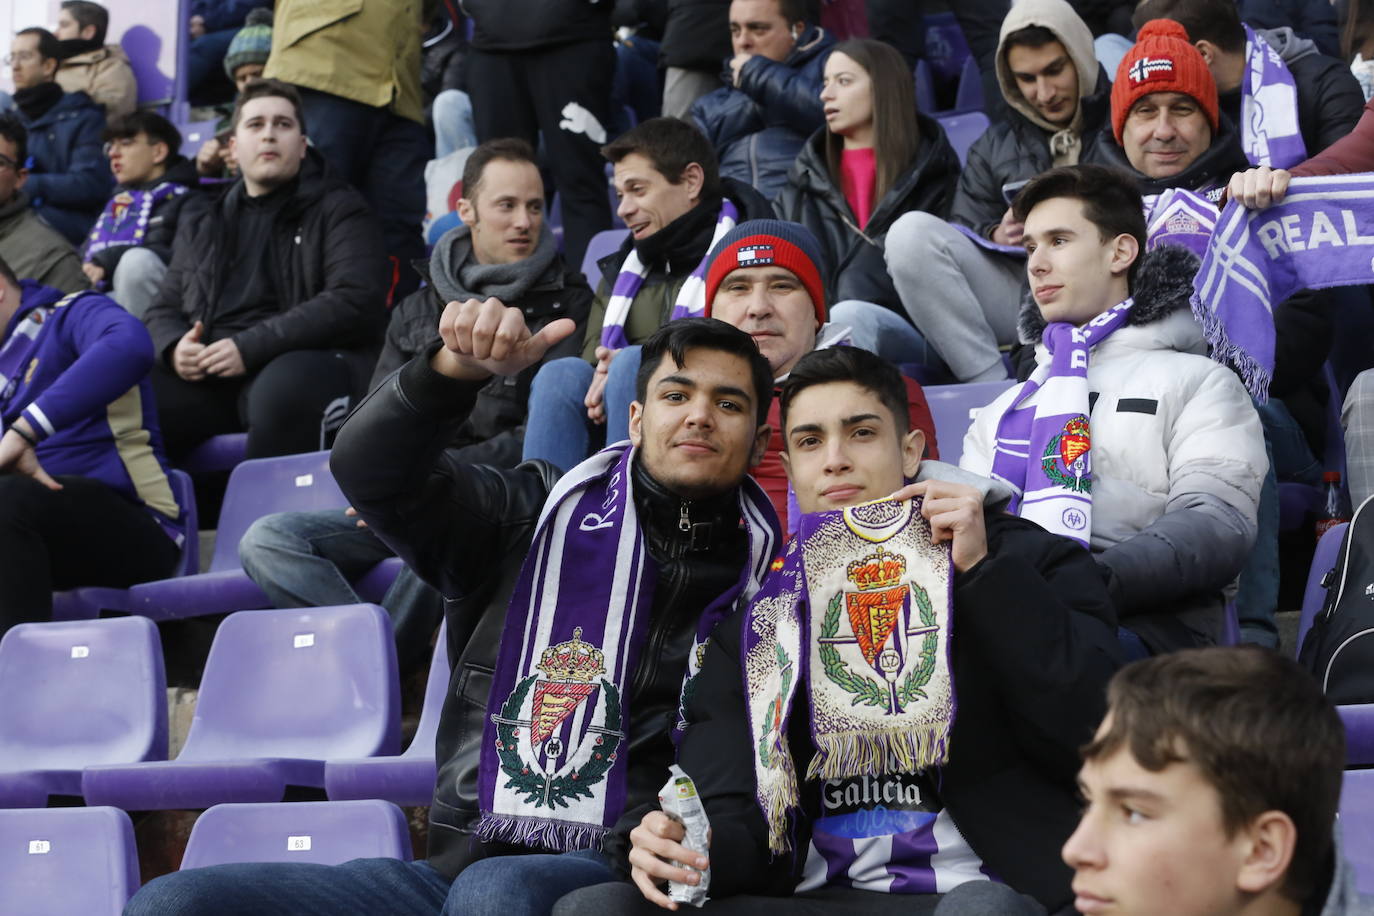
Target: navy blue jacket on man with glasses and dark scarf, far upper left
(71,178)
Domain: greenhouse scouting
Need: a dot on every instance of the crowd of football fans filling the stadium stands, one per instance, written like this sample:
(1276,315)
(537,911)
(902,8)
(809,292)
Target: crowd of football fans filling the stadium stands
(630,469)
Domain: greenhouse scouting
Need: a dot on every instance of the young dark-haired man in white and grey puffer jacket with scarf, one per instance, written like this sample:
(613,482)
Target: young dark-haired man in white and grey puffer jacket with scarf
(1169,491)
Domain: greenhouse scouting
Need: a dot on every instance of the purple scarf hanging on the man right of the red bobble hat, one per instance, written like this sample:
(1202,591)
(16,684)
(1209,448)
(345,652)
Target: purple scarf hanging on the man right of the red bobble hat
(1269,108)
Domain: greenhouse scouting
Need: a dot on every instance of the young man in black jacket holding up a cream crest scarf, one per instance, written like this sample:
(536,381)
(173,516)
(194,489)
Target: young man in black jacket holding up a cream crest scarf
(826,793)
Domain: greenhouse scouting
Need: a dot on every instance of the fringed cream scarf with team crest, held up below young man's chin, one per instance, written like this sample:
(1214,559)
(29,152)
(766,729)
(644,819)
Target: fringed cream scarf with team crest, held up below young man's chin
(859,608)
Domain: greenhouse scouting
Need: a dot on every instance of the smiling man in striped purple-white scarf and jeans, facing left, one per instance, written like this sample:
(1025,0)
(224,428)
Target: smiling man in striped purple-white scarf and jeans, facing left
(678,208)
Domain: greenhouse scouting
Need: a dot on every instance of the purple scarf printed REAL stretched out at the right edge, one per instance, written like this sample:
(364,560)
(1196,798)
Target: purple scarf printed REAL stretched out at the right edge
(1320,237)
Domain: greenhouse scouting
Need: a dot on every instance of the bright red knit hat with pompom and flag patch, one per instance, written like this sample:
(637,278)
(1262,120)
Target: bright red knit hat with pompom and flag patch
(1163,60)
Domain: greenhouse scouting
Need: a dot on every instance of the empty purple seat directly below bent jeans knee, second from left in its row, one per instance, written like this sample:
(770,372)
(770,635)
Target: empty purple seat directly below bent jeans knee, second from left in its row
(282,693)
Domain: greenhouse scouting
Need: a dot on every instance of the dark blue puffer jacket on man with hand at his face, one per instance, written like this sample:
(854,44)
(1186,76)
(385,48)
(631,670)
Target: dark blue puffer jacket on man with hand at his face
(759,128)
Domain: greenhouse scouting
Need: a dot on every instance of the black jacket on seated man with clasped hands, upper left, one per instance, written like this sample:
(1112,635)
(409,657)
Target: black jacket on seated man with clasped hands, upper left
(330,274)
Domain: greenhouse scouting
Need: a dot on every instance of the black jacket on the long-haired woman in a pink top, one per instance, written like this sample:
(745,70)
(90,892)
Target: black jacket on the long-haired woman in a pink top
(857,268)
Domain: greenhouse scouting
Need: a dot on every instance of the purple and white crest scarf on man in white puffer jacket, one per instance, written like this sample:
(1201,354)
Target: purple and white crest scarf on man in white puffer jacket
(1045,440)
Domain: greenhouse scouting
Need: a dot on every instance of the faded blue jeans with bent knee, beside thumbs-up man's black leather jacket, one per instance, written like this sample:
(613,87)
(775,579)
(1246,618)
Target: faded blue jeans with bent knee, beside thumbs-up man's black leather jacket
(308,560)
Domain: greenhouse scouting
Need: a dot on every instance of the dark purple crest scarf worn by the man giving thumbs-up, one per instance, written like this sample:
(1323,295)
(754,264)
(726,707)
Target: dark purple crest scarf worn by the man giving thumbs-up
(554,748)
